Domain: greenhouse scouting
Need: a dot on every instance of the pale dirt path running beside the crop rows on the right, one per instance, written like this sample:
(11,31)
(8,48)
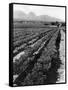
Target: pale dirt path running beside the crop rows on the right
(61,70)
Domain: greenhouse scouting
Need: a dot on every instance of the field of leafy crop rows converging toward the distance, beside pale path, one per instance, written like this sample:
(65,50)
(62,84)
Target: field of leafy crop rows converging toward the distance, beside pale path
(35,56)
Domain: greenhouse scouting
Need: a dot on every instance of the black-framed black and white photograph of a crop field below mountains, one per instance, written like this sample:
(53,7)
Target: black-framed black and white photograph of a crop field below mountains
(38,44)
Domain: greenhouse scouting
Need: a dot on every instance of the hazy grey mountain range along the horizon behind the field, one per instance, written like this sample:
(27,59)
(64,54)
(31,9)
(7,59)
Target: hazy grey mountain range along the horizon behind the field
(20,15)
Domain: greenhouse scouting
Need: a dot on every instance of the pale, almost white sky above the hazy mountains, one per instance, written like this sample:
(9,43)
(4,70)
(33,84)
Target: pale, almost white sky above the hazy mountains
(57,12)
